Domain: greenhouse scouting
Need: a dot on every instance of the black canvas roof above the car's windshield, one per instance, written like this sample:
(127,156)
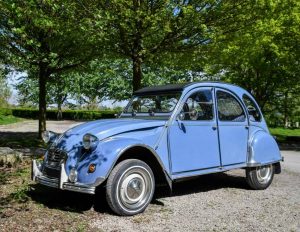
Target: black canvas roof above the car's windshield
(162,89)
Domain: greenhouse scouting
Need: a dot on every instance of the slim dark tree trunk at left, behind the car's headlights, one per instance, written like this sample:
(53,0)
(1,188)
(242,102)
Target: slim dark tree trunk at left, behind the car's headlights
(43,76)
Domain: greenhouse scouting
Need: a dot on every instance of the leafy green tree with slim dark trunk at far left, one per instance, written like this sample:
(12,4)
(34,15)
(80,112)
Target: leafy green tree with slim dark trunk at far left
(46,38)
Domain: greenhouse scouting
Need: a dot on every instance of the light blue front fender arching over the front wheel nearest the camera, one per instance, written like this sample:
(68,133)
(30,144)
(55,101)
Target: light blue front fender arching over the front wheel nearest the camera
(105,157)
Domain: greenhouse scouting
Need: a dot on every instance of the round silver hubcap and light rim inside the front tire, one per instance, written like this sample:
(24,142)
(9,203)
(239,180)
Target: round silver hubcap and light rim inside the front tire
(135,188)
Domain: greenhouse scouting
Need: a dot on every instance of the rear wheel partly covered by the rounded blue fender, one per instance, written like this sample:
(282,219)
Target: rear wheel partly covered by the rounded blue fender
(261,177)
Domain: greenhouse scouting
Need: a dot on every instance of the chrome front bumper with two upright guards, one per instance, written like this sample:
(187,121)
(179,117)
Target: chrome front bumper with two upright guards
(61,183)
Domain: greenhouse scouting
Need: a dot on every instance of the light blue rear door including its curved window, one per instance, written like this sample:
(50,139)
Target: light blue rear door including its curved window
(233,129)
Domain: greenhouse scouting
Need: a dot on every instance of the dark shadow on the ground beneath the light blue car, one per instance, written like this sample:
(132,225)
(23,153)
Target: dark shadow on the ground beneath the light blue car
(78,202)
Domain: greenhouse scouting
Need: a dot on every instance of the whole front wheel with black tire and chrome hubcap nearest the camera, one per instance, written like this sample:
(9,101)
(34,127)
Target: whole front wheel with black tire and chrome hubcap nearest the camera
(130,187)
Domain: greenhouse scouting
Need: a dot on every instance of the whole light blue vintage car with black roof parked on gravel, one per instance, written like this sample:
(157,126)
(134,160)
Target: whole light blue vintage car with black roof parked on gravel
(165,134)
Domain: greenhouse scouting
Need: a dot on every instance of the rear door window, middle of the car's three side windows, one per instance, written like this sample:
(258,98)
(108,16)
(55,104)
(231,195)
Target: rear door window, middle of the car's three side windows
(229,109)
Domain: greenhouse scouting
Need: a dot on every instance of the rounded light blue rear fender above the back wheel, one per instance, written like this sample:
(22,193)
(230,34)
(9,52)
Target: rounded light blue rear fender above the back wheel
(263,149)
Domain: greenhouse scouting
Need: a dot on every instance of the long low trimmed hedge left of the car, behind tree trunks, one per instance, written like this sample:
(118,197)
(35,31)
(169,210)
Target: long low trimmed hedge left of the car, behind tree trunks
(66,114)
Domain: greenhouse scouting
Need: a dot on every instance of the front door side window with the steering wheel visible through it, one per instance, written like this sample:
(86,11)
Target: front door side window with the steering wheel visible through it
(198,106)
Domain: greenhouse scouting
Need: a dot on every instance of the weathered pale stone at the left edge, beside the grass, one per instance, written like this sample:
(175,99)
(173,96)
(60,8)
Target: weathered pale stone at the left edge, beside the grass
(9,157)
